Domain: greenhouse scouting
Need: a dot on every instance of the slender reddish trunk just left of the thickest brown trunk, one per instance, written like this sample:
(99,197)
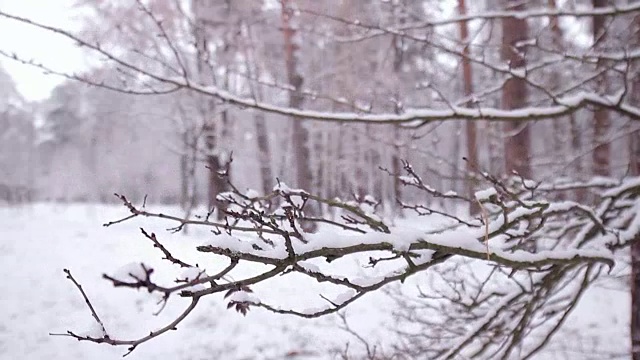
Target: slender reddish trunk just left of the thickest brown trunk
(467,79)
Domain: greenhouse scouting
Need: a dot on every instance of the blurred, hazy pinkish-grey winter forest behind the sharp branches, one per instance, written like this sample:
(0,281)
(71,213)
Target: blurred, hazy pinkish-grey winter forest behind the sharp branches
(86,142)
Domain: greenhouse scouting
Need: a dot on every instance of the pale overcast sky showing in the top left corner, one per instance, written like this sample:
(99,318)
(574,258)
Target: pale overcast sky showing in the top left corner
(29,43)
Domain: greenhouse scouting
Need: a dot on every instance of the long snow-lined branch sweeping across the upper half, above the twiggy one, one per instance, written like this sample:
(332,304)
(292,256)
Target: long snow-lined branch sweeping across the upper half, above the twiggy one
(145,80)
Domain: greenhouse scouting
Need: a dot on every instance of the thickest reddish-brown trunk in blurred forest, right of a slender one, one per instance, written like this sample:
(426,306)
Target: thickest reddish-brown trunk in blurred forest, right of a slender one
(514,93)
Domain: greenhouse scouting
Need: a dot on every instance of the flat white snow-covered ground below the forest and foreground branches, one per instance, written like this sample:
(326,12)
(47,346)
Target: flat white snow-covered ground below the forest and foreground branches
(37,242)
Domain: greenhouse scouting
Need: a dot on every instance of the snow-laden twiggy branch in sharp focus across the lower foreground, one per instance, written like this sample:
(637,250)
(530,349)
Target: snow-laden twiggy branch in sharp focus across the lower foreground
(541,245)
